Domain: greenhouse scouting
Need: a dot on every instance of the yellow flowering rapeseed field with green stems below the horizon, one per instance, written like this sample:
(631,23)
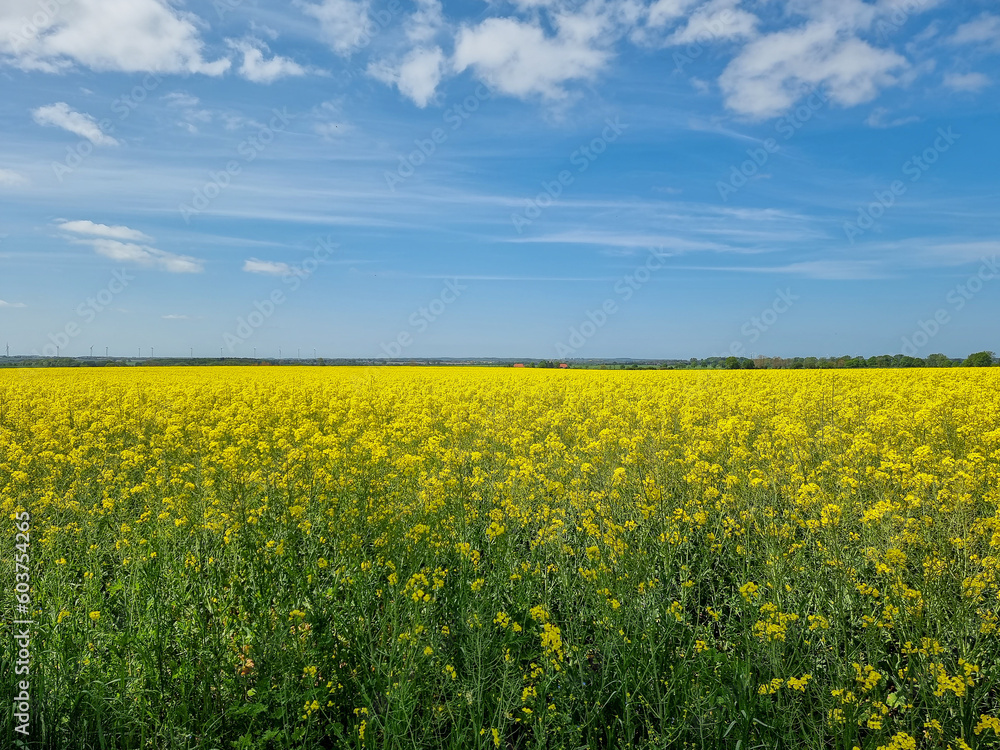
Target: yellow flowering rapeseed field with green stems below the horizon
(485,558)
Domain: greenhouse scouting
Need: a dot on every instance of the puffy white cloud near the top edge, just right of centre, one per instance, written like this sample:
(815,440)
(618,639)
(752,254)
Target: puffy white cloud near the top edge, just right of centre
(519,59)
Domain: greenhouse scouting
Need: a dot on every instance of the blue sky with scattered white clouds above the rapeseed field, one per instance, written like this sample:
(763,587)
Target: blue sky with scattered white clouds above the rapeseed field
(539,178)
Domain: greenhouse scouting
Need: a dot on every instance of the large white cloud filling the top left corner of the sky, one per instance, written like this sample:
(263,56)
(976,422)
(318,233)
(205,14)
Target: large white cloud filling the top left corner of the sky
(128,36)
